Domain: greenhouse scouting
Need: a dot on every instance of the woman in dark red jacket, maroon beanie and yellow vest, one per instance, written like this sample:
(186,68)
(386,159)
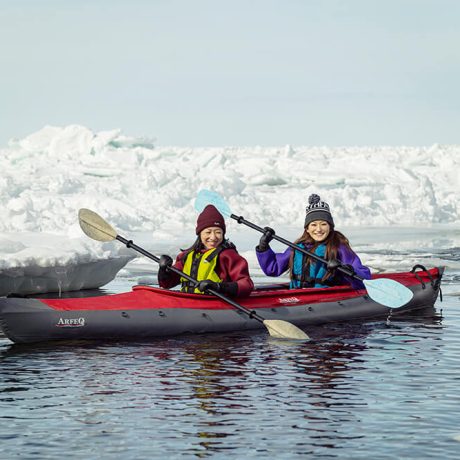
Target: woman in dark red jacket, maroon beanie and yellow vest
(212,260)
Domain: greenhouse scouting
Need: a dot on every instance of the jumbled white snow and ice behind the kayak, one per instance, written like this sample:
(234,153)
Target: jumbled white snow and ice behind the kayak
(145,190)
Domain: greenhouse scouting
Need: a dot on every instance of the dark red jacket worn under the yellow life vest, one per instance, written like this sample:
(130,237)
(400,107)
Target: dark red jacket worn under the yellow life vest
(230,267)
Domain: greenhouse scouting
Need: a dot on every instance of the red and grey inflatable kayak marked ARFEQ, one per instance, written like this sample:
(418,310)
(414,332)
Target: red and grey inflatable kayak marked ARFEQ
(154,312)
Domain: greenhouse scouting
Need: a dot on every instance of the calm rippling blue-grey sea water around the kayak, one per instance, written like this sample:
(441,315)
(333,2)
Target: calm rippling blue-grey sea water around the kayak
(372,390)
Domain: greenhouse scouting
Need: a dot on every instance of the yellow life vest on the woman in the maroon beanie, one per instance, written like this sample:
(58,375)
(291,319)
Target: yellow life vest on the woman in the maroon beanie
(201,266)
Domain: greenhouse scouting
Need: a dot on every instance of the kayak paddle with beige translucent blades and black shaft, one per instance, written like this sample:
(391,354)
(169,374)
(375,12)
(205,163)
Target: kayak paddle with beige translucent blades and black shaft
(98,229)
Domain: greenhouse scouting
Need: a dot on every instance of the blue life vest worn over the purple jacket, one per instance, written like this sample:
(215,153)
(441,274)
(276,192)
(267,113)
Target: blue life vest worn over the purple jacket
(317,270)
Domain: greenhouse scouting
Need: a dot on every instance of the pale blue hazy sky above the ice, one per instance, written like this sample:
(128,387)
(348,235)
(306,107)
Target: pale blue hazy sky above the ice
(245,72)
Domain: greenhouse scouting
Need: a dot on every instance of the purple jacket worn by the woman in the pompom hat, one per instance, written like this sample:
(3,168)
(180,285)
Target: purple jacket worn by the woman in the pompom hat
(274,264)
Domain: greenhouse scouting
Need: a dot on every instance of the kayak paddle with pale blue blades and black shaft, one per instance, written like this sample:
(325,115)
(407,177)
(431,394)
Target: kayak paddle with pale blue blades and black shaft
(384,291)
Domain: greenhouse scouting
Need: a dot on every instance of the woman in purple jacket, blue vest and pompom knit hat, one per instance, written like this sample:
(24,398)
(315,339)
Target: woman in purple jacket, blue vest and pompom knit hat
(321,238)
